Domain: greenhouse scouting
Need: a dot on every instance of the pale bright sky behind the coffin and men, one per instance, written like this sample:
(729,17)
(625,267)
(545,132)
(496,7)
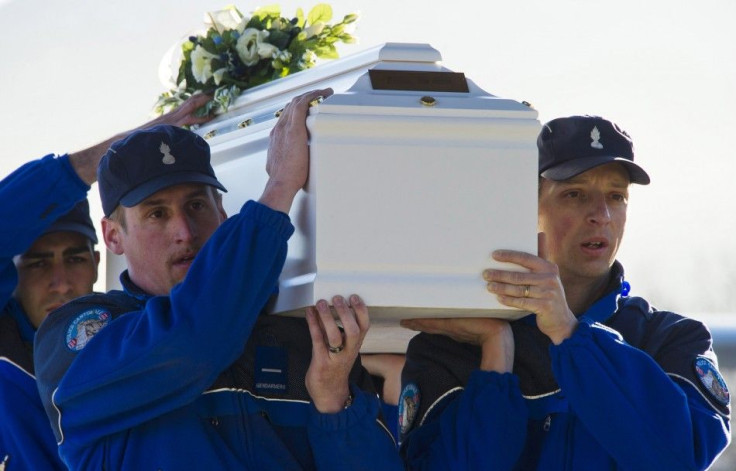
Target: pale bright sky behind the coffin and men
(76,72)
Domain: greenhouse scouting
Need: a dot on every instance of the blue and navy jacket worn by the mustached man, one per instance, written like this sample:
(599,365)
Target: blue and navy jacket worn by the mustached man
(197,379)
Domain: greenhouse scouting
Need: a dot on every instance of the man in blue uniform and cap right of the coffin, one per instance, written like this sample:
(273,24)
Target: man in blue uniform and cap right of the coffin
(594,378)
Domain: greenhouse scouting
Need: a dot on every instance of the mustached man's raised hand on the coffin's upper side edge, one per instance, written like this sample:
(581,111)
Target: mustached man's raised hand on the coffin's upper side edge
(288,153)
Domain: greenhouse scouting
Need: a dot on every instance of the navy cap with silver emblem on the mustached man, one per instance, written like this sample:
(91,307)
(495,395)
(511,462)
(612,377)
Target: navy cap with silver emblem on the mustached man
(150,160)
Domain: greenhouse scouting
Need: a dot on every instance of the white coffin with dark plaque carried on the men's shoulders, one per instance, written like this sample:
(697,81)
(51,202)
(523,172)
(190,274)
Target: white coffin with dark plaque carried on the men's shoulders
(405,201)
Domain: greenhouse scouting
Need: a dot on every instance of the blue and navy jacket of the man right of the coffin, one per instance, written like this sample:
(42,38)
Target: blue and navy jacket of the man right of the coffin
(633,389)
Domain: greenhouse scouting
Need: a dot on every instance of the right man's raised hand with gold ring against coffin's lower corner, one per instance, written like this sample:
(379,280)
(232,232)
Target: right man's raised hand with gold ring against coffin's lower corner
(539,291)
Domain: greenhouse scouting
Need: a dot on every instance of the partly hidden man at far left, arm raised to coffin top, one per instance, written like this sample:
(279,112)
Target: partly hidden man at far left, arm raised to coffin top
(47,258)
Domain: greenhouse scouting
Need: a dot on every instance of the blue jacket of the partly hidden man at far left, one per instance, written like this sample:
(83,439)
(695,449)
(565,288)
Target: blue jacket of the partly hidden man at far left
(34,196)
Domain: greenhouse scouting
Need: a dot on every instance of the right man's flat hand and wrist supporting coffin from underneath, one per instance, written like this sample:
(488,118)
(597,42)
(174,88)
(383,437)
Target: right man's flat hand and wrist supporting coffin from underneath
(494,336)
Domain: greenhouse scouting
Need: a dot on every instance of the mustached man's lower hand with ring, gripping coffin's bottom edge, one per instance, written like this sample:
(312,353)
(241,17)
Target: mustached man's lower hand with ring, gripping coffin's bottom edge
(334,350)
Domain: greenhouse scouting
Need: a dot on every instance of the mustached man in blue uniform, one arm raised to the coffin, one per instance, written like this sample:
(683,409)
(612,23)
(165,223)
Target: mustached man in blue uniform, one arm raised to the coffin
(178,370)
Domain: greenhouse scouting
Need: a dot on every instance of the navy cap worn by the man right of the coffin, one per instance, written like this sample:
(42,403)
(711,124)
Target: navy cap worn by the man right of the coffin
(570,146)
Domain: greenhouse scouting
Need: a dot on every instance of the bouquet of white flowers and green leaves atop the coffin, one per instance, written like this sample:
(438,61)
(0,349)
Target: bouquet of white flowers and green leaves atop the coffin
(238,52)
